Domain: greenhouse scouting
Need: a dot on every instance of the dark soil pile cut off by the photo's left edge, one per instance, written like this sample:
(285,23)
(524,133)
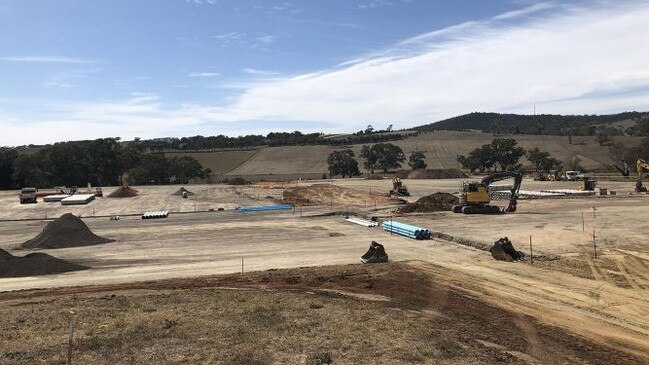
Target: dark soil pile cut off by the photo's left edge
(33,264)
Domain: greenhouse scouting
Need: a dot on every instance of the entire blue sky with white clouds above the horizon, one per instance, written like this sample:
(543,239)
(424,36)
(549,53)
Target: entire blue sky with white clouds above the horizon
(78,69)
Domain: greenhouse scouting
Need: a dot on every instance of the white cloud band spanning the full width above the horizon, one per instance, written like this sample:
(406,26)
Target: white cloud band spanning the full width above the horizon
(571,60)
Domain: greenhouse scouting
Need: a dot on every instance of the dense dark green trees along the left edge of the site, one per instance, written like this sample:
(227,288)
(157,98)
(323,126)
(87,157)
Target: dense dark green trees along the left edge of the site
(101,162)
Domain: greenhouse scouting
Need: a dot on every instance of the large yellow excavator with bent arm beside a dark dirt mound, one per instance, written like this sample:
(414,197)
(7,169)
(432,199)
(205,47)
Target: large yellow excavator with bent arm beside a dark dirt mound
(475,197)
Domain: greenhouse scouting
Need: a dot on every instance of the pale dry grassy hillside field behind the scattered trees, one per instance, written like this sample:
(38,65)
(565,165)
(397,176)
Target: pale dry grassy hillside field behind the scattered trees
(441,149)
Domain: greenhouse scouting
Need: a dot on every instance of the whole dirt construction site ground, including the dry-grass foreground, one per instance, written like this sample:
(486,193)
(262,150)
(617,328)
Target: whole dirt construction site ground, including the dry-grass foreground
(217,285)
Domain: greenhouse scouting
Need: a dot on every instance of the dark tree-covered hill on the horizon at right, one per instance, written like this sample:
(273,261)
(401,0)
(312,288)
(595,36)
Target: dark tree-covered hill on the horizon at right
(539,124)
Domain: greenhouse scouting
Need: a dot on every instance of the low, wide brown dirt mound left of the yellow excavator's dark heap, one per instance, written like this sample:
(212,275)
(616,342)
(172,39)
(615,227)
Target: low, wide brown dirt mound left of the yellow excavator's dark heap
(328,194)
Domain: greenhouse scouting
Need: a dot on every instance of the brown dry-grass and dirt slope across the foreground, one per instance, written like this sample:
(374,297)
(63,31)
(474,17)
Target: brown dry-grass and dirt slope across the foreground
(380,314)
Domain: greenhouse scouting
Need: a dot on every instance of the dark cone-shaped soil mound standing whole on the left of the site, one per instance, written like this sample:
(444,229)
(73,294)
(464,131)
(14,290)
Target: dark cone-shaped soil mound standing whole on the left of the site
(66,231)
